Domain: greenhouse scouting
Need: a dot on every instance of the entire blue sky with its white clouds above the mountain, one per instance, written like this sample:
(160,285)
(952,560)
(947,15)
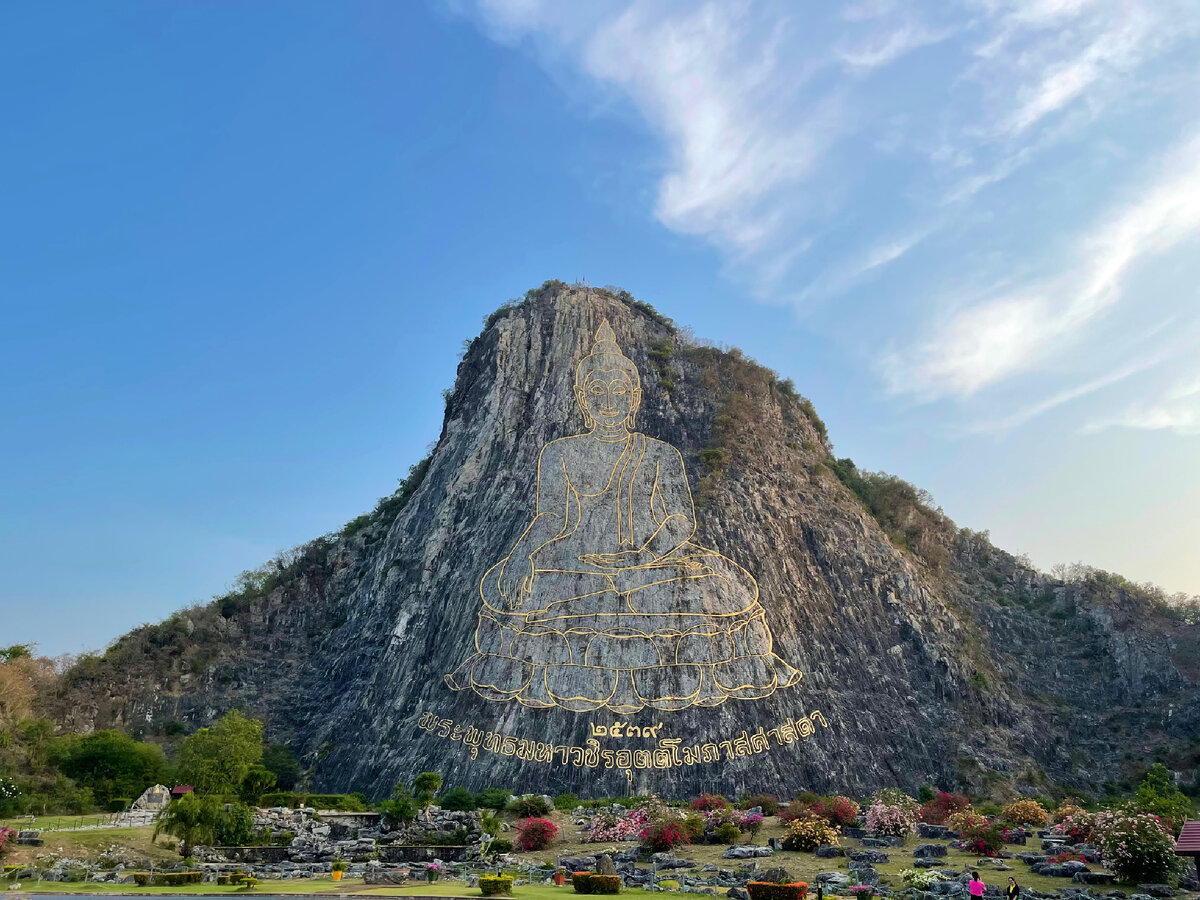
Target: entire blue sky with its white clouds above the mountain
(241,247)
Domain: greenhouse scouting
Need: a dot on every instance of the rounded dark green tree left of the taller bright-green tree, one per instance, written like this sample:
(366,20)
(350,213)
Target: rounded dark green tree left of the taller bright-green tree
(111,764)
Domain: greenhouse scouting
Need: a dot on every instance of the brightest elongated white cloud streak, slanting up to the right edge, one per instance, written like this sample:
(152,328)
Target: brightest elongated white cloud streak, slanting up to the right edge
(1000,338)
